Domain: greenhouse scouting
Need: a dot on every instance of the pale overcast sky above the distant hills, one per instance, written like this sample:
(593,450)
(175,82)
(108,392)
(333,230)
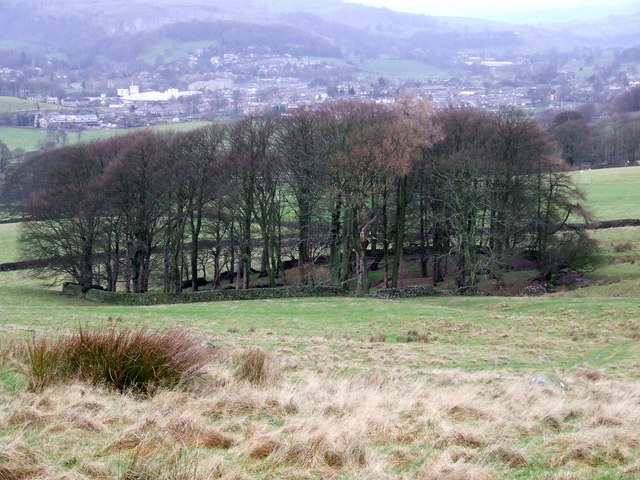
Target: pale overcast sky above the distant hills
(484,9)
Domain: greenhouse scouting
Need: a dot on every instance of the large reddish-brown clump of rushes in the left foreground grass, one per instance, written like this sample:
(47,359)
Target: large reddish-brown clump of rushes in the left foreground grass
(139,361)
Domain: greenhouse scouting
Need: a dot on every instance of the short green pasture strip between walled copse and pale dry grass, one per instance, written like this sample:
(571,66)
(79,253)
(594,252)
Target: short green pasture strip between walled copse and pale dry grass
(462,332)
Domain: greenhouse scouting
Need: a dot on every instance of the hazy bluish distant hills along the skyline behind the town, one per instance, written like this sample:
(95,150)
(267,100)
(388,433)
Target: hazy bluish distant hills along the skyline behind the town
(122,29)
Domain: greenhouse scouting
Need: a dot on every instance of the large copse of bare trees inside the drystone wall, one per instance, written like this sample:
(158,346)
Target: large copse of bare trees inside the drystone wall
(328,190)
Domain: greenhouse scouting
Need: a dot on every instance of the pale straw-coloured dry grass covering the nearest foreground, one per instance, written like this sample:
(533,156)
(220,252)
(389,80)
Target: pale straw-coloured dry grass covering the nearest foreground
(271,414)
